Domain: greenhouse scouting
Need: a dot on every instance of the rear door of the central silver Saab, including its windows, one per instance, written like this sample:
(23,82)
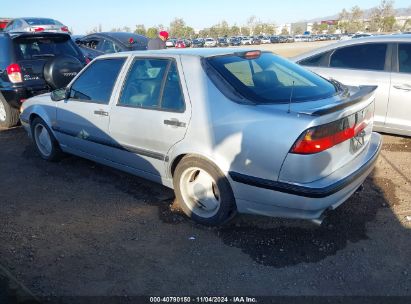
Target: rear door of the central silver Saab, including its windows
(151,115)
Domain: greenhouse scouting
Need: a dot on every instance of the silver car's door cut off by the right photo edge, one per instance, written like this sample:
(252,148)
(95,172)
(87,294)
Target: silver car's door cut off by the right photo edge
(399,107)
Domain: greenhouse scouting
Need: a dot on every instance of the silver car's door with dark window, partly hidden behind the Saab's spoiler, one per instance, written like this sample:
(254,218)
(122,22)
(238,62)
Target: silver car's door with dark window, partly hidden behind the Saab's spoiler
(361,64)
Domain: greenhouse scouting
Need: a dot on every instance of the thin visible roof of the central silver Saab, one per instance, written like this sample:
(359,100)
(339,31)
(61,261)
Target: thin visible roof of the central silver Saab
(184,52)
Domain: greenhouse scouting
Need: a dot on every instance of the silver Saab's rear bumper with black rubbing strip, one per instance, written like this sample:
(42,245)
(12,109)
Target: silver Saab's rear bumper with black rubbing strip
(307,201)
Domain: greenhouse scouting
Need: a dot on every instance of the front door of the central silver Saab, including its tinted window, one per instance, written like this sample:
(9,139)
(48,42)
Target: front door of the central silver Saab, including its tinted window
(82,120)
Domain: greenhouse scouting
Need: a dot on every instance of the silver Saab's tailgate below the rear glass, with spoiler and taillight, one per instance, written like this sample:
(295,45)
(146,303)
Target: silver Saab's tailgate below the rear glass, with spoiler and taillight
(339,129)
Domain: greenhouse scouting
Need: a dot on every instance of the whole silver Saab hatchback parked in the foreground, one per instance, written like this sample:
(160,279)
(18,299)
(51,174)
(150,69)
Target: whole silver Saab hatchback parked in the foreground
(229,131)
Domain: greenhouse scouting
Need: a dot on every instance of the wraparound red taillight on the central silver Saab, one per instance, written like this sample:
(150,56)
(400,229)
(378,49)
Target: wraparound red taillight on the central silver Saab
(323,137)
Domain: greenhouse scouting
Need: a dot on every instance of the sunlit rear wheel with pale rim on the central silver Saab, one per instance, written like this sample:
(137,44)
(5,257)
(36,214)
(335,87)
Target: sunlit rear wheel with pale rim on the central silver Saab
(203,192)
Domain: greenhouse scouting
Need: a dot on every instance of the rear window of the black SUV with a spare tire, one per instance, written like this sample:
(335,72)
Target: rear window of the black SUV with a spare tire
(34,48)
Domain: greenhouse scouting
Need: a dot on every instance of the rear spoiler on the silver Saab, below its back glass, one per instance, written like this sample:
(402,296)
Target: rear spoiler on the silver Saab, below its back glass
(364,93)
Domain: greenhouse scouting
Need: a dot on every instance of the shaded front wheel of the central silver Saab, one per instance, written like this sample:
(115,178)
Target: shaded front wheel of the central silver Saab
(44,140)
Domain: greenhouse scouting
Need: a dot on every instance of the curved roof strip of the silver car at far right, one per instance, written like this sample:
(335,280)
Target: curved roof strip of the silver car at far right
(381,38)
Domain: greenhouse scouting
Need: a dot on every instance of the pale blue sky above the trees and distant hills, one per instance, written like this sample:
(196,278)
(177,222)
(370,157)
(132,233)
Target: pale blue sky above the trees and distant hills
(83,15)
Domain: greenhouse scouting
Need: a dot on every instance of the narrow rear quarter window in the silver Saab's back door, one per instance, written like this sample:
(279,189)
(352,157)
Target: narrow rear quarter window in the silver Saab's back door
(173,96)
